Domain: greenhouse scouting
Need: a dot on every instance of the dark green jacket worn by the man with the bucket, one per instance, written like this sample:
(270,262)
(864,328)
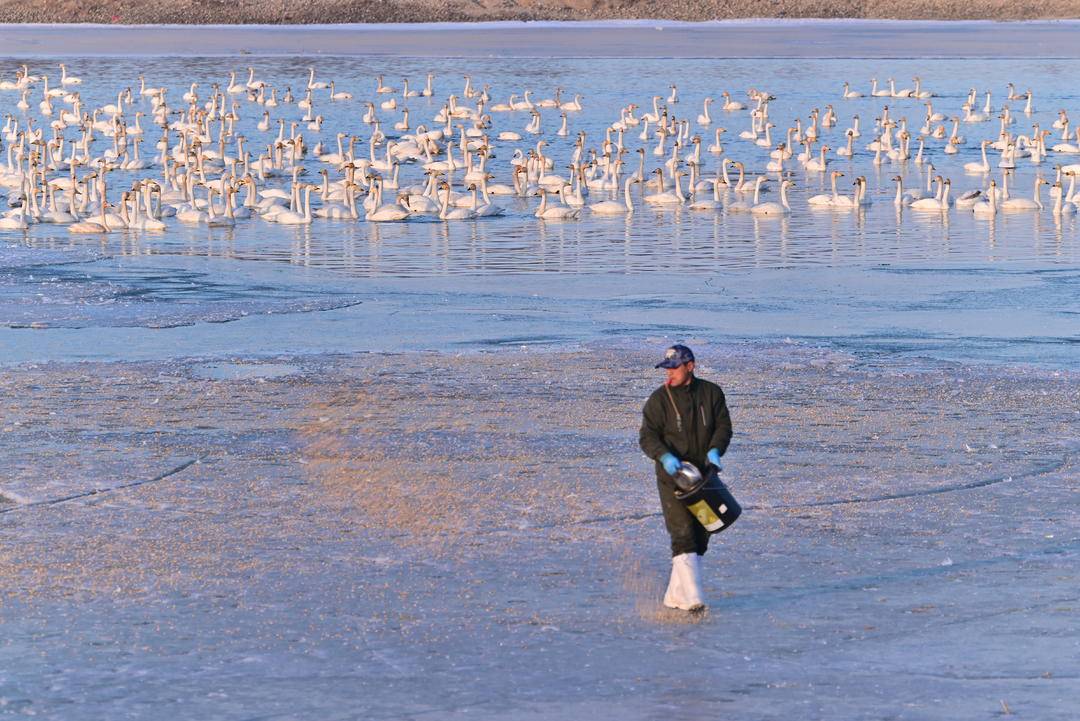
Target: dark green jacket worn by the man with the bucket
(701,423)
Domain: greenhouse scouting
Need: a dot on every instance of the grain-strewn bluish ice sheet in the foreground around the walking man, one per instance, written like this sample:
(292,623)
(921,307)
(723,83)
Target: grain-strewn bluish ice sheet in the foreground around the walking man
(408,536)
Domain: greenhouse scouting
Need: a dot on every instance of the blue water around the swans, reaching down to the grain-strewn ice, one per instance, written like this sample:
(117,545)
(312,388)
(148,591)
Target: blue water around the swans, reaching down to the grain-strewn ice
(879,281)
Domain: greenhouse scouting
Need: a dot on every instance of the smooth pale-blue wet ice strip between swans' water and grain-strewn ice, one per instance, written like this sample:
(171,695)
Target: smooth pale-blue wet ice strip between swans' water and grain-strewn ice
(1012,314)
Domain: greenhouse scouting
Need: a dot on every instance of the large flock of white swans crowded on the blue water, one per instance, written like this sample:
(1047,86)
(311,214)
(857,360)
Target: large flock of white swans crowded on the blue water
(245,151)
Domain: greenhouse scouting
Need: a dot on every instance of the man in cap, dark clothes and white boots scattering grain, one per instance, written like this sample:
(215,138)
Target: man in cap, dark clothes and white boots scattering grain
(686,419)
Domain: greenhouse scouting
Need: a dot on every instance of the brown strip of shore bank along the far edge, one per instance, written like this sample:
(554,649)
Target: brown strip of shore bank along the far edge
(275,12)
